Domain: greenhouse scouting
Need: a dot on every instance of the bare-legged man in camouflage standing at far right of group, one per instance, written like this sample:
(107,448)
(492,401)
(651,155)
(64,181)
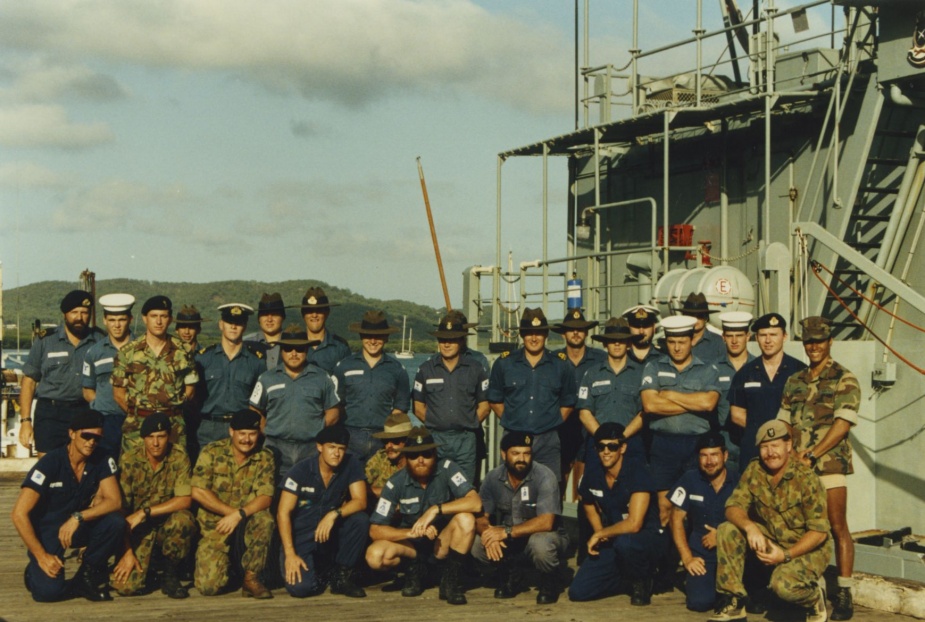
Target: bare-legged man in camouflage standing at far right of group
(821,403)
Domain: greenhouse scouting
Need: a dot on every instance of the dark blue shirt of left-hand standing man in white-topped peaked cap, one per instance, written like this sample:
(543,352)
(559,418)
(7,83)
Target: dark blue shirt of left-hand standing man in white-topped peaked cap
(227,383)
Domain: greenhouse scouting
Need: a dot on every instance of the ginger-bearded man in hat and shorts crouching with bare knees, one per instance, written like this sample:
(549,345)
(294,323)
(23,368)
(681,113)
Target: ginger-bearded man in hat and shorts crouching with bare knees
(436,505)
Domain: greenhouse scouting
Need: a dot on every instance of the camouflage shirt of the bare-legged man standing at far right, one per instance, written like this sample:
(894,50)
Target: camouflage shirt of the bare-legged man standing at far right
(811,406)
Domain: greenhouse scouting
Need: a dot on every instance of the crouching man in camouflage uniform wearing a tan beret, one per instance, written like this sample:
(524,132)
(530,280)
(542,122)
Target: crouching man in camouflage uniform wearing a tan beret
(778,513)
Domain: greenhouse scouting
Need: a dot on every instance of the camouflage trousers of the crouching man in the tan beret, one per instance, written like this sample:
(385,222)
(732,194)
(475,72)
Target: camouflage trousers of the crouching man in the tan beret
(794,582)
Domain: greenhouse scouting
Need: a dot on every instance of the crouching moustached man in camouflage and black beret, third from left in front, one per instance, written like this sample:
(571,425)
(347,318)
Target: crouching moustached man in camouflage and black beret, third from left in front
(233,485)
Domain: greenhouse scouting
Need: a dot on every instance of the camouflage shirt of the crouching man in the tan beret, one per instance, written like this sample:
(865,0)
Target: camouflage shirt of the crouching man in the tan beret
(789,509)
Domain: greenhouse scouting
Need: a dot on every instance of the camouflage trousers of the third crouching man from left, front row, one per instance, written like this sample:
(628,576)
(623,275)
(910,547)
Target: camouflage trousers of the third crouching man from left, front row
(213,557)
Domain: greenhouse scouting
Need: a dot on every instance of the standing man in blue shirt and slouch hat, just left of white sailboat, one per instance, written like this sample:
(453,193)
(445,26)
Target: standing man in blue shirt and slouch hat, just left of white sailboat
(371,385)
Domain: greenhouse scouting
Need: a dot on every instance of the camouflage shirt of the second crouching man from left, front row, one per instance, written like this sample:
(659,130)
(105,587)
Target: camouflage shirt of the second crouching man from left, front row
(144,486)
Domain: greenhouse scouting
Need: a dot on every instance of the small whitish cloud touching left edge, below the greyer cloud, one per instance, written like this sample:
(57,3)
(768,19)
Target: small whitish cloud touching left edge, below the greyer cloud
(48,126)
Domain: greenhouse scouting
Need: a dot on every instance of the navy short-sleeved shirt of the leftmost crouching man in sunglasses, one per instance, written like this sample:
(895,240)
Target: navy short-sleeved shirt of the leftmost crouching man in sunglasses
(60,494)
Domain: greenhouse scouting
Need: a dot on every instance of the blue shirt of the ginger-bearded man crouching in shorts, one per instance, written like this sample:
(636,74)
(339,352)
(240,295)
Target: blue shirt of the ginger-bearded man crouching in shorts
(404,495)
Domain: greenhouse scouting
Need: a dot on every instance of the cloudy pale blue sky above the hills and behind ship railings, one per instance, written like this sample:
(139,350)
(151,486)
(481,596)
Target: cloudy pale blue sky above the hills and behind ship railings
(204,140)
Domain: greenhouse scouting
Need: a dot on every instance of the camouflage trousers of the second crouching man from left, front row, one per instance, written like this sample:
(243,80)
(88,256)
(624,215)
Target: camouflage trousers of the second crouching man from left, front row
(174,536)
